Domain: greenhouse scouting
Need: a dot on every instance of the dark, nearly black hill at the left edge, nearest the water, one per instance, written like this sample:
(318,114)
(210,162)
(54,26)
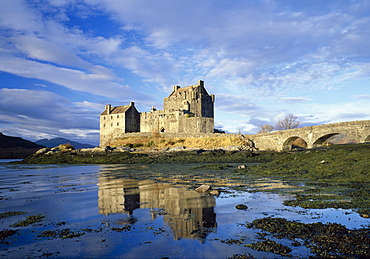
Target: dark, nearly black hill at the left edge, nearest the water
(15,147)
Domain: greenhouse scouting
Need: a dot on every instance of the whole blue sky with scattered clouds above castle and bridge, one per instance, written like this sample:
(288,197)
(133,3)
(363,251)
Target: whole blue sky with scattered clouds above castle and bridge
(61,61)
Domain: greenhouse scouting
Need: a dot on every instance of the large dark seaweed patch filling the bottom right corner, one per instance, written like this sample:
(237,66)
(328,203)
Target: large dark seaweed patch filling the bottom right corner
(329,240)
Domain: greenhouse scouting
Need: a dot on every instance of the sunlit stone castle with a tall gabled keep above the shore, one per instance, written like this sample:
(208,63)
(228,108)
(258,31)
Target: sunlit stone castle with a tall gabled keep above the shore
(186,110)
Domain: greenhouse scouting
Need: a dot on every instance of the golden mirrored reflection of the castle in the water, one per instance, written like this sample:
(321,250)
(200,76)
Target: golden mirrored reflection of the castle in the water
(188,213)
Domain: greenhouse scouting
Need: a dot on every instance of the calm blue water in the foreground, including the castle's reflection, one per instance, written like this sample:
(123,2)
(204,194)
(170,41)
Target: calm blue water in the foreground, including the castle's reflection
(139,211)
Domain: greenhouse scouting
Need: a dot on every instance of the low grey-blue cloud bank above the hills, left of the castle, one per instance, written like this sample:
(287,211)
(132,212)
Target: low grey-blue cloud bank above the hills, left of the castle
(44,112)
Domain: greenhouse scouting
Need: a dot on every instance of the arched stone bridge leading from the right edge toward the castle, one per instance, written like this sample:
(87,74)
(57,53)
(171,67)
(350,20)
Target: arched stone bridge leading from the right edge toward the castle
(313,136)
